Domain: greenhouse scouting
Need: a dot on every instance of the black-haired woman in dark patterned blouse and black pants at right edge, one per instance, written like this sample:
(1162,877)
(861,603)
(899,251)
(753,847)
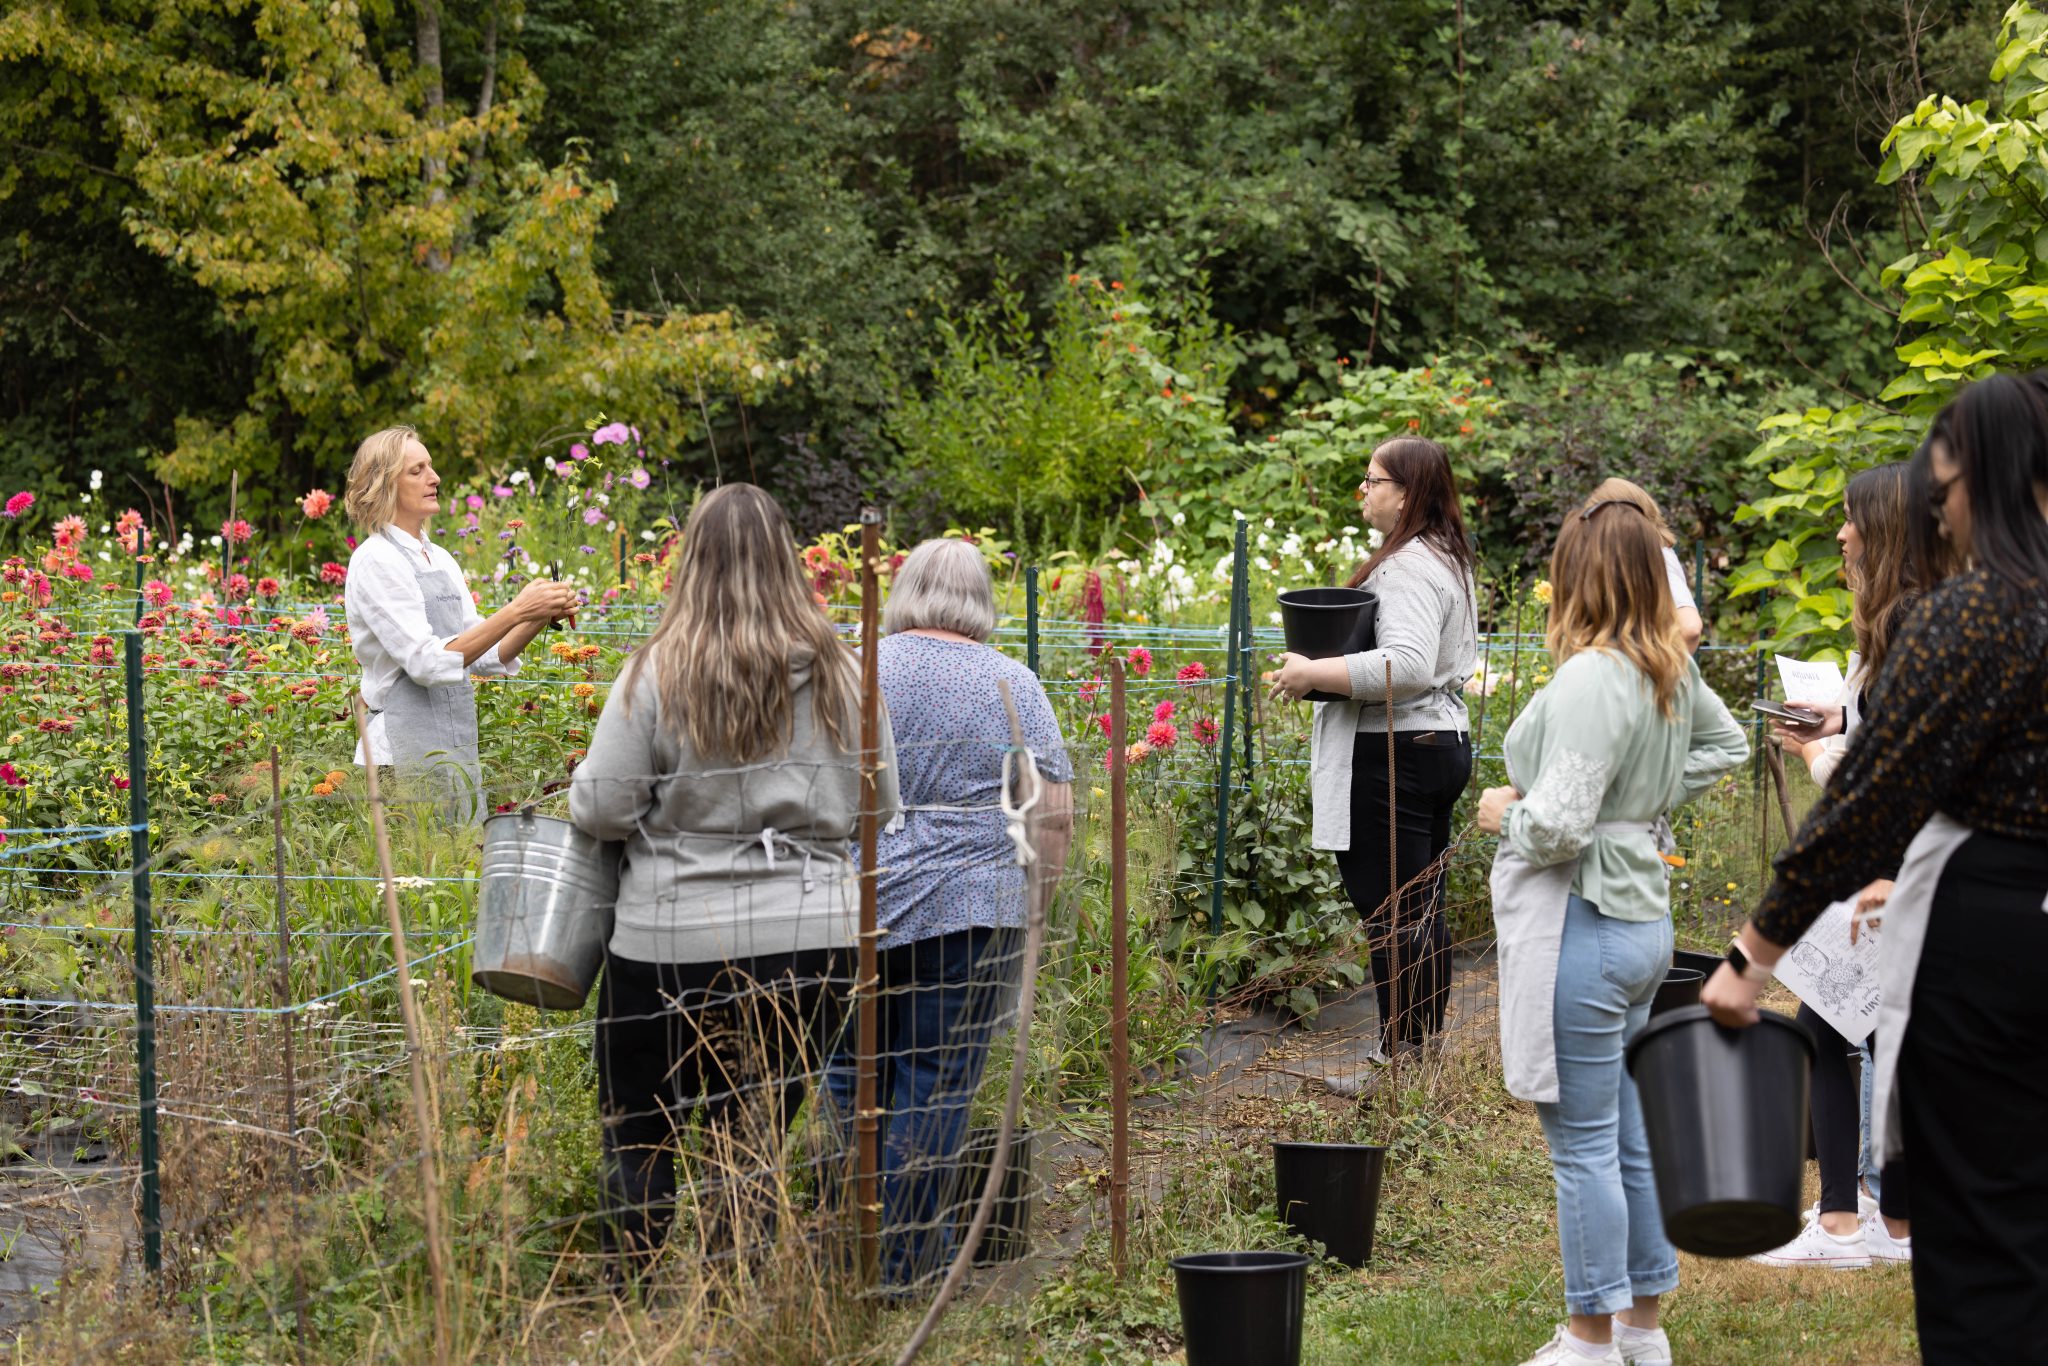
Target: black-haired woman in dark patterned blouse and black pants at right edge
(1949,783)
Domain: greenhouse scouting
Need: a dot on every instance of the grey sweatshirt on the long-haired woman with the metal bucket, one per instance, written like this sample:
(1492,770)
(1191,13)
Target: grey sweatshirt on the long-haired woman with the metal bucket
(722,861)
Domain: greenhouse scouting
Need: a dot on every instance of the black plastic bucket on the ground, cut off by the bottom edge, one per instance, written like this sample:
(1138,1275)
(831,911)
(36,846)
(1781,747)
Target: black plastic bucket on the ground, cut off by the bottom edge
(1242,1308)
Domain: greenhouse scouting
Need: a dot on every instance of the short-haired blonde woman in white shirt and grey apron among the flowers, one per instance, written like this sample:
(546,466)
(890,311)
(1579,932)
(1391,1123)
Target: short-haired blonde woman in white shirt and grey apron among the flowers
(417,632)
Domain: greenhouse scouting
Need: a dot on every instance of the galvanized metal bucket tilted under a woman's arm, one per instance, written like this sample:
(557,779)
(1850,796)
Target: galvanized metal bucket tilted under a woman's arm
(544,910)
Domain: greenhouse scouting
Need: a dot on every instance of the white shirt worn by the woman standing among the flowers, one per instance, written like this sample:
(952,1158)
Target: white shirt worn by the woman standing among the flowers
(388,626)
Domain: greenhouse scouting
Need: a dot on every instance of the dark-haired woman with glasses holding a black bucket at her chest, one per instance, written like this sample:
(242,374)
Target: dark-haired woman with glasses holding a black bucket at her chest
(1428,644)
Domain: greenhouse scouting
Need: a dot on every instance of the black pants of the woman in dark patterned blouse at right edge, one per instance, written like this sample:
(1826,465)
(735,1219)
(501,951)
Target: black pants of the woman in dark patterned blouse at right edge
(1973,1091)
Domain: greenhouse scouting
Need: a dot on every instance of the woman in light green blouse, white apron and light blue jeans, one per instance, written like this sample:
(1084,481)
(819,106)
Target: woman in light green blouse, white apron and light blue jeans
(1623,734)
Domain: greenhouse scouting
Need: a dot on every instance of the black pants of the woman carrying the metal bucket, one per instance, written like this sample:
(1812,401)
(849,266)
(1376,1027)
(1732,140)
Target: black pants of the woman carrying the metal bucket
(734,1041)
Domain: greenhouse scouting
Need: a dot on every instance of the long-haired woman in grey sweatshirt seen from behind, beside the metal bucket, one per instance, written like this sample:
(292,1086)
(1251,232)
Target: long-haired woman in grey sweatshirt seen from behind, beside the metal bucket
(728,761)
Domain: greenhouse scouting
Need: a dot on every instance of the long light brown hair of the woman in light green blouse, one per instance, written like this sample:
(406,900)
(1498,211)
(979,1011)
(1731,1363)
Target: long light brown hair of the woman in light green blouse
(1609,593)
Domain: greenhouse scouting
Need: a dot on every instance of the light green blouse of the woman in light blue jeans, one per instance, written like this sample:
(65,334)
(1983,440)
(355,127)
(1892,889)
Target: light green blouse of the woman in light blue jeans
(1594,751)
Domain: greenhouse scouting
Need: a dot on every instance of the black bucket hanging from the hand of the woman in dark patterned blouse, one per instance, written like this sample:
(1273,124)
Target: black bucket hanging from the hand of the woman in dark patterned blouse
(1727,1127)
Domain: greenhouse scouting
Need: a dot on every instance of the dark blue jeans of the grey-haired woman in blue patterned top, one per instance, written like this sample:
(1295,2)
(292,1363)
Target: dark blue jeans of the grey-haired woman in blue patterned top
(941,1000)
